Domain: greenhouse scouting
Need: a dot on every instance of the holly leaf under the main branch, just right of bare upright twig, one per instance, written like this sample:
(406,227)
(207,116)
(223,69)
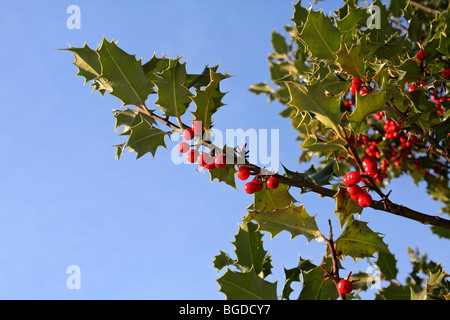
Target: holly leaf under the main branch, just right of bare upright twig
(358,241)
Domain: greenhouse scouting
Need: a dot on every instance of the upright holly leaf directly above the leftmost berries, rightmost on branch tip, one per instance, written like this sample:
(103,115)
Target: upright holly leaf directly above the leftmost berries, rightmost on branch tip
(209,99)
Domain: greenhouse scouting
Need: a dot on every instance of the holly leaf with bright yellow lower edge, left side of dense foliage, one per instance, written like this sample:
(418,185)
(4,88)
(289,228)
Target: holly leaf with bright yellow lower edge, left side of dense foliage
(314,101)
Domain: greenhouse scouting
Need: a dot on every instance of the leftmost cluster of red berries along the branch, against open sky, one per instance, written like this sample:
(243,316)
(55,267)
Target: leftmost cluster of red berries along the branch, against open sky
(208,161)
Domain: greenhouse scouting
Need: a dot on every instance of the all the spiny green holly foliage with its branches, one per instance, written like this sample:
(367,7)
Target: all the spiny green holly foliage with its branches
(397,115)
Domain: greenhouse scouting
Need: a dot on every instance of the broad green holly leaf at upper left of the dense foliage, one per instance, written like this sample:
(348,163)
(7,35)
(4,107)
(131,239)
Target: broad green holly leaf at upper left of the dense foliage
(320,36)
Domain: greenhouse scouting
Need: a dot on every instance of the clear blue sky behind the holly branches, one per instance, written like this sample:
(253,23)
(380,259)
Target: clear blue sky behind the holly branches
(144,229)
